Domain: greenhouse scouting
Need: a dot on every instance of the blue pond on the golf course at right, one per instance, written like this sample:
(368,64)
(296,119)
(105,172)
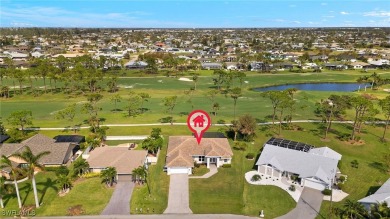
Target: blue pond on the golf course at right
(318,87)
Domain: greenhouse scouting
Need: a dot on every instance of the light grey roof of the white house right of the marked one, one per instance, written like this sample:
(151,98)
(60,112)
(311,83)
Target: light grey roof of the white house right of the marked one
(305,164)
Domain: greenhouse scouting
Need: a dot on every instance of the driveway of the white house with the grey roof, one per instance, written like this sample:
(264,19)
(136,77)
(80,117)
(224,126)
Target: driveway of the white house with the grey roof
(308,205)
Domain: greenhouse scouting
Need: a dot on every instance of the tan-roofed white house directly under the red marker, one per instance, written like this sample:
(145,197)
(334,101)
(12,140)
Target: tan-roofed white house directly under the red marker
(183,151)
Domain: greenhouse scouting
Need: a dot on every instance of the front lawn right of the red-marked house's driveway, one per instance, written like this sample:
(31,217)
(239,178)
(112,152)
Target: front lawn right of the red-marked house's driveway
(227,192)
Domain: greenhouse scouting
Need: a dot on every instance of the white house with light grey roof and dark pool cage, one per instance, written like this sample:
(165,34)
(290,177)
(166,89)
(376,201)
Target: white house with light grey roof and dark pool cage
(315,167)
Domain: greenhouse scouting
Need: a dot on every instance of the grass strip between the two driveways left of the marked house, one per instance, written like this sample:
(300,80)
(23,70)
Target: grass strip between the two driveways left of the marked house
(158,183)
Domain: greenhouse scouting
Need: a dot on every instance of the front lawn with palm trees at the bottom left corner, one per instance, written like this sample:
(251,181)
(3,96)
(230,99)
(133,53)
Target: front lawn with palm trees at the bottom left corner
(90,193)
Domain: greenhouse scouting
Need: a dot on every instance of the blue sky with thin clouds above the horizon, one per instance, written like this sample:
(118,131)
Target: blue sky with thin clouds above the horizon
(194,13)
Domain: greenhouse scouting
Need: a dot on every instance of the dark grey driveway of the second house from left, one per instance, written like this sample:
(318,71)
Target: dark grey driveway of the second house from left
(120,200)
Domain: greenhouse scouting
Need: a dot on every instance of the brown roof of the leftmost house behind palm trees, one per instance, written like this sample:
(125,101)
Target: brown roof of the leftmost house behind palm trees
(39,143)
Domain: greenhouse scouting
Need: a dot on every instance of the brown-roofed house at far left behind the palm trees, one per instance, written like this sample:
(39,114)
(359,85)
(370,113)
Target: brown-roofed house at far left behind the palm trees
(60,152)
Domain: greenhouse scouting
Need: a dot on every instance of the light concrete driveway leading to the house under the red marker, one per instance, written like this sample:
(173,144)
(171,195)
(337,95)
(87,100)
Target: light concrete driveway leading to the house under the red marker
(178,199)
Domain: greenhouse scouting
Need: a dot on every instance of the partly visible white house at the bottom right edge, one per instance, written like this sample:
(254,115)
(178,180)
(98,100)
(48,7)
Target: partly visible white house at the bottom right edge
(380,196)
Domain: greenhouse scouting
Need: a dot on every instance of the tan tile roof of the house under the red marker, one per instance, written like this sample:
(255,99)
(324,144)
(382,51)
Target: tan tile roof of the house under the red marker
(182,148)
